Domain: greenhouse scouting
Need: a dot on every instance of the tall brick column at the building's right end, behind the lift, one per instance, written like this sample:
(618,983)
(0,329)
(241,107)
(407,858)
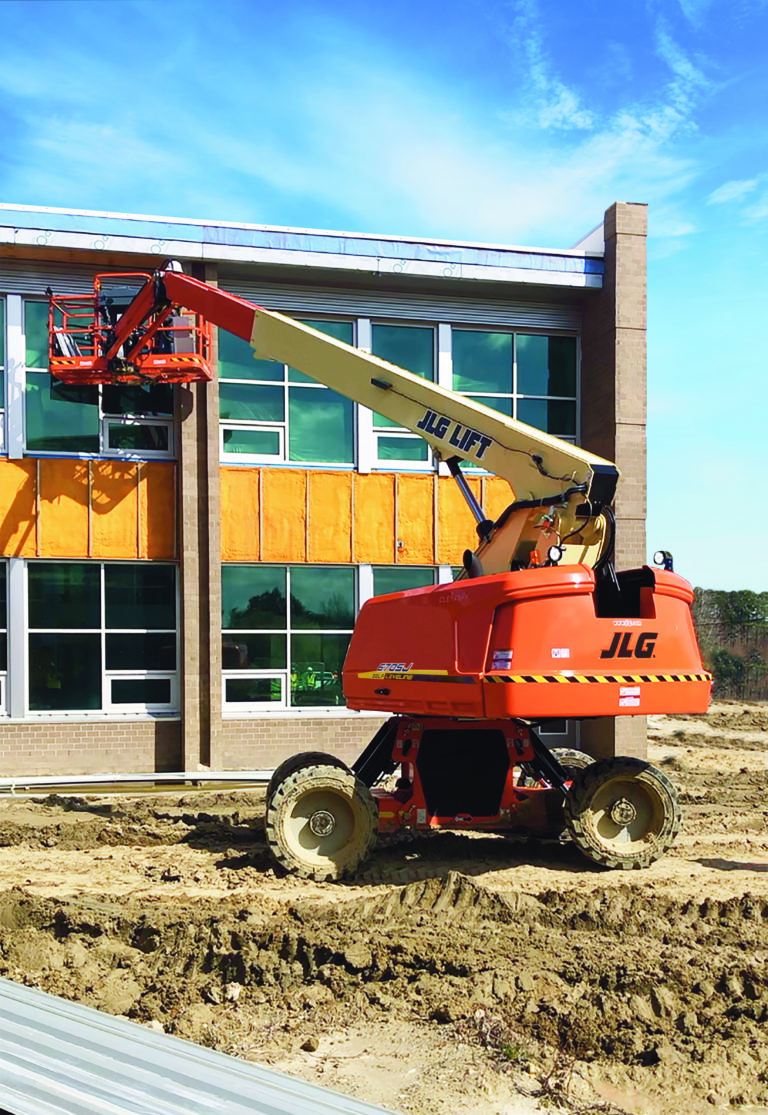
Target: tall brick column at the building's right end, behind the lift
(615,415)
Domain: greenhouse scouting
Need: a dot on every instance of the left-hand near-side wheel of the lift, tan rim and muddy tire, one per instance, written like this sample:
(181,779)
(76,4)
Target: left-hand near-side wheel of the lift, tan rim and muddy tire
(322,792)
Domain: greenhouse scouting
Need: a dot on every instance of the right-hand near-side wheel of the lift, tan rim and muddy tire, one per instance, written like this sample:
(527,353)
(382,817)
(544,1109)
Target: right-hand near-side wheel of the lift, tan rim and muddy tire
(608,789)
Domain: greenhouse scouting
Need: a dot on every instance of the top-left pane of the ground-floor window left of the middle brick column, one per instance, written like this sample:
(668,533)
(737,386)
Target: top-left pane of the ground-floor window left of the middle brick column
(66,595)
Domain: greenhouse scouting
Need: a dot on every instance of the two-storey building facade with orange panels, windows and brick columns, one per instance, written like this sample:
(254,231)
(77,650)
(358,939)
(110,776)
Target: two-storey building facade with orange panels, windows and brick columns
(182,566)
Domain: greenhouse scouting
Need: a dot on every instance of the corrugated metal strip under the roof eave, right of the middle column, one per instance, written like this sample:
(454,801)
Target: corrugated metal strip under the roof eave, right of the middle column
(550,316)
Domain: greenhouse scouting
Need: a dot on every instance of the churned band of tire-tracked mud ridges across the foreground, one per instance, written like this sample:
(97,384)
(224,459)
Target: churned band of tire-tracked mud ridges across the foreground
(660,990)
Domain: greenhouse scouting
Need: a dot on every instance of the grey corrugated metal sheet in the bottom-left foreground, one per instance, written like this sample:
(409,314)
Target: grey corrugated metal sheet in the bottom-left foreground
(62,1059)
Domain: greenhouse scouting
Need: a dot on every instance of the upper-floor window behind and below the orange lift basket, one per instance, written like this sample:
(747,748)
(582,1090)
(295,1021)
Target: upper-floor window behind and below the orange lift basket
(70,420)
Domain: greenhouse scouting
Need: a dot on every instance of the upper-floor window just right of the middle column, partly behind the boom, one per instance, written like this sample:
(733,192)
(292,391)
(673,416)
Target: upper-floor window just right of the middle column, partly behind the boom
(270,412)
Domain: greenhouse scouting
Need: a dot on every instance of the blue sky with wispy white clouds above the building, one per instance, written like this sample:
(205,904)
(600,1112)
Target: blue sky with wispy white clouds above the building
(514,122)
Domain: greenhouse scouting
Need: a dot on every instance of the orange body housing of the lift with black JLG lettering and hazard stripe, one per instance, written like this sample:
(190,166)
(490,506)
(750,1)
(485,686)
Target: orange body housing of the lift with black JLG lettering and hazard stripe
(536,644)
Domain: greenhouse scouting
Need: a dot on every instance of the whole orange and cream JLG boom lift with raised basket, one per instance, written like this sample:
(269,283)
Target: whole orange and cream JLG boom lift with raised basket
(538,626)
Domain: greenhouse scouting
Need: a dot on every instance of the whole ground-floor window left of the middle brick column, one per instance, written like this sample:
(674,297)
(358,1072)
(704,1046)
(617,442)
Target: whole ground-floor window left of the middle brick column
(102,637)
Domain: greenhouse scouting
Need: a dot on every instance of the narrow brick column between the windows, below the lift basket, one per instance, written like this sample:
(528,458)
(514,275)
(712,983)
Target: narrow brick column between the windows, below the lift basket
(200,577)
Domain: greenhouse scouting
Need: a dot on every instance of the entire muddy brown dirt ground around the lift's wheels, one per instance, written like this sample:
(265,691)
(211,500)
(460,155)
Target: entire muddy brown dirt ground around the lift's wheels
(461,975)
